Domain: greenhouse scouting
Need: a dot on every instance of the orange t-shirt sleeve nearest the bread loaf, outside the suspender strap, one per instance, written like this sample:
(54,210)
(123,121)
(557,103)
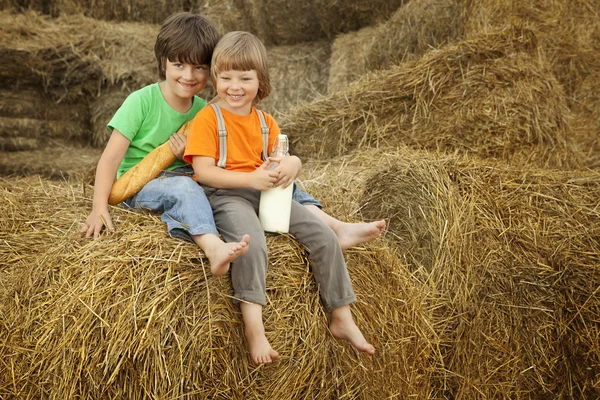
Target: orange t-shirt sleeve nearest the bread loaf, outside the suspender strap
(202,138)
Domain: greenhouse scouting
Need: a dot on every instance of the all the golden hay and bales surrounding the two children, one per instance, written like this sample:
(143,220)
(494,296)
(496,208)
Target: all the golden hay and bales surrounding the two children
(472,126)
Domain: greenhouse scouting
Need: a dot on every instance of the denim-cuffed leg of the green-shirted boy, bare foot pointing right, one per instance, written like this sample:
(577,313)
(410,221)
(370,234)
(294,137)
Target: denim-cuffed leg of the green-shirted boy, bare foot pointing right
(349,234)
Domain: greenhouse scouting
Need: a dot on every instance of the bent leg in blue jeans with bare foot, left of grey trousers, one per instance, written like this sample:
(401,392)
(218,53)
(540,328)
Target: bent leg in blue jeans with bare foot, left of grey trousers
(187,213)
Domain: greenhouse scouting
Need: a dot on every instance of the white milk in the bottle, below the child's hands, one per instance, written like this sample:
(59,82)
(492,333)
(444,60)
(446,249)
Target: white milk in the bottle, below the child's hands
(275,208)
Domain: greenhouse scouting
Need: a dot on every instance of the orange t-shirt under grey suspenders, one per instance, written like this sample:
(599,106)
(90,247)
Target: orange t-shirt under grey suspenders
(244,138)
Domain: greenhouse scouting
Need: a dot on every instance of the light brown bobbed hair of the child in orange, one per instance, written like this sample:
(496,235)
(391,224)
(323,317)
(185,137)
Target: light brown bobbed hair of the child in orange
(242,51)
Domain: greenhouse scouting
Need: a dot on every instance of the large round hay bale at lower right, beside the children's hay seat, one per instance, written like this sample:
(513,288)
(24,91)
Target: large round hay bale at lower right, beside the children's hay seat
(512,256)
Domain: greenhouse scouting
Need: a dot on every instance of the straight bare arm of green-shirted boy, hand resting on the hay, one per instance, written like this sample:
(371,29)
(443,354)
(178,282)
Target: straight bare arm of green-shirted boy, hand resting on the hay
(106,172)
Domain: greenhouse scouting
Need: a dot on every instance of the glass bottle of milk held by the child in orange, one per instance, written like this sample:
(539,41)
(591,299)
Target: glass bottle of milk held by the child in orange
(276,203)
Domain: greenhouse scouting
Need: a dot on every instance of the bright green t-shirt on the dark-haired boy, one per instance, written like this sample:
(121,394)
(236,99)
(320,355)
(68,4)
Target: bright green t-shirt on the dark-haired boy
(148,121)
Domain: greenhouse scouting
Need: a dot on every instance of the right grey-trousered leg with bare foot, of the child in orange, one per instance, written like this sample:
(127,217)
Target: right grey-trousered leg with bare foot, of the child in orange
(331,274)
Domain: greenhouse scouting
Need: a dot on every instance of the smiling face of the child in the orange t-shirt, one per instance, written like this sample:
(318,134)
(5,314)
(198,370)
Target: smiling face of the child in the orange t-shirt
(237,90)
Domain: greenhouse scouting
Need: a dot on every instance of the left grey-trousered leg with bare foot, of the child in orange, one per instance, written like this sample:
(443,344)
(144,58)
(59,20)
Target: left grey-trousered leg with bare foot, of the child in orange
(236,212)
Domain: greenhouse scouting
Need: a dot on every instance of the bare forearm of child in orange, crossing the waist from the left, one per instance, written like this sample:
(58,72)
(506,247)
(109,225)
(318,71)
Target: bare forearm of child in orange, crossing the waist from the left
(209,174)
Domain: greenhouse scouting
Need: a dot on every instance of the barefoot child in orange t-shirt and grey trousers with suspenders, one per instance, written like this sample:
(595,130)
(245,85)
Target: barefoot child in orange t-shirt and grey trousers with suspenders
(240,74)
